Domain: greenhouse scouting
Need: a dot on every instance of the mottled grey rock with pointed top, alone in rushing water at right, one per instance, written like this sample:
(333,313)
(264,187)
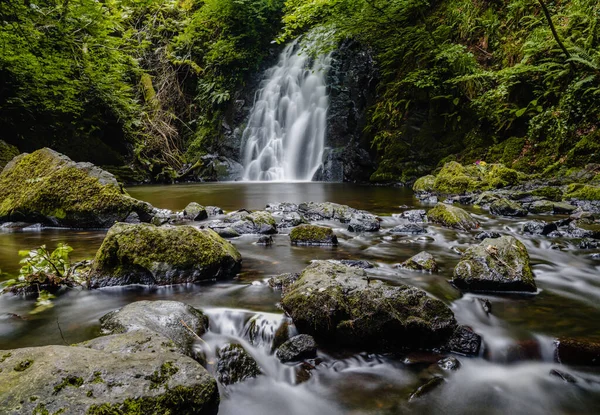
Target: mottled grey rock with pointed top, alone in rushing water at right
(500,264)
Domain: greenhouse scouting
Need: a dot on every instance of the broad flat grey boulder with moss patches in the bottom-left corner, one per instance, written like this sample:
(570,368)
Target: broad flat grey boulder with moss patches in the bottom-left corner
(78,380)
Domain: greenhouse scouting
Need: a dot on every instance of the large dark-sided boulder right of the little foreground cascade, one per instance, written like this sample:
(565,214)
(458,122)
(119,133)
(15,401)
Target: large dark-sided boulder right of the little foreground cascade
(340,305)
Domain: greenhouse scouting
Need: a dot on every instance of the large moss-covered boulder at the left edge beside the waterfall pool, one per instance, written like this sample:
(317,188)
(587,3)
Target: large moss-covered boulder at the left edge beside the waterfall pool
(48,187)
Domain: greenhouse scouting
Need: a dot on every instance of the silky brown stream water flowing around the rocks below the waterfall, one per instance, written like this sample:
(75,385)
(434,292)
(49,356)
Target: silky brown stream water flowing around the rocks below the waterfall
(512,376)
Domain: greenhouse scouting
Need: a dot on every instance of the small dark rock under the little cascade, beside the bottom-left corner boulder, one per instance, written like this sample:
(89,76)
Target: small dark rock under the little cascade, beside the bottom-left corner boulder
(235,365)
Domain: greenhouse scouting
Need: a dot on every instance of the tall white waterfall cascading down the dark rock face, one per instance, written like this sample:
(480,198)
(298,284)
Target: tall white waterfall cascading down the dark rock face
(285,136)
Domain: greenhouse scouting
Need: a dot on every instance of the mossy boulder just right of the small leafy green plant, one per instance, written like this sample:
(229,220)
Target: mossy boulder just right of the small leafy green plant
(151,255)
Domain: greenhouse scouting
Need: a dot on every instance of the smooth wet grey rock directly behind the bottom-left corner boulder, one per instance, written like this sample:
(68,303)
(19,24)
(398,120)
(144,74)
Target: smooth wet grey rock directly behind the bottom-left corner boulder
(176,321)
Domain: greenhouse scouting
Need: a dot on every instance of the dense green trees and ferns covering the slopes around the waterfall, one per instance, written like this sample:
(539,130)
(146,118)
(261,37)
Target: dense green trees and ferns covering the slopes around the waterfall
(151,80)
